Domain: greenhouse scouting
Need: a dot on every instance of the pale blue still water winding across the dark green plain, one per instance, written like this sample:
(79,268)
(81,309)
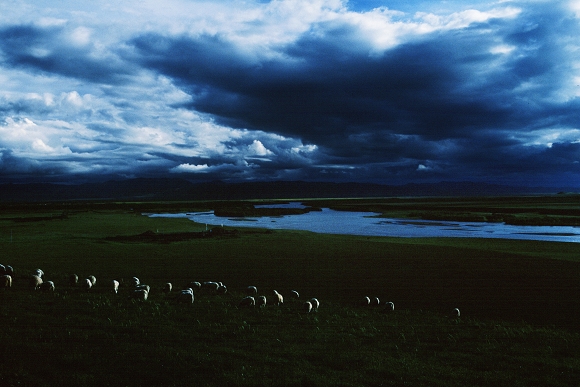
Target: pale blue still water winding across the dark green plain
(366,223)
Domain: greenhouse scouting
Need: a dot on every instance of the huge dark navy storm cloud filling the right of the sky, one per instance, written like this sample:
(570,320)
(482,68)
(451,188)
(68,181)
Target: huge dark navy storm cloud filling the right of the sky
(426,101)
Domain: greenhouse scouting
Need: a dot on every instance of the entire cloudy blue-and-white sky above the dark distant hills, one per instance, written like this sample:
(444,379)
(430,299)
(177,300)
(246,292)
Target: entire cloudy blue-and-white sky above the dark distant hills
(379,91)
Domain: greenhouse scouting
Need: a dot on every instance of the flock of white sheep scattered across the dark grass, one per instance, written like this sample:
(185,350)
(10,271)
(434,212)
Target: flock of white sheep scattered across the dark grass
(140,291)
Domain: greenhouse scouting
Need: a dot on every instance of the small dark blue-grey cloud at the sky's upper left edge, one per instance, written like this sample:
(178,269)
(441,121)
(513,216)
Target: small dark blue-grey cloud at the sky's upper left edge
(49,50)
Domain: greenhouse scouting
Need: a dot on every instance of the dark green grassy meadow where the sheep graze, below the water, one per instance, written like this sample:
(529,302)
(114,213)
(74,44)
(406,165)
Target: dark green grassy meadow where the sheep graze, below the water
(519,302)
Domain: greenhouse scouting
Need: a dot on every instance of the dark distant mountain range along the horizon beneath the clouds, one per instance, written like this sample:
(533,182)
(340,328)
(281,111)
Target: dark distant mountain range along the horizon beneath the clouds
(145,189)
